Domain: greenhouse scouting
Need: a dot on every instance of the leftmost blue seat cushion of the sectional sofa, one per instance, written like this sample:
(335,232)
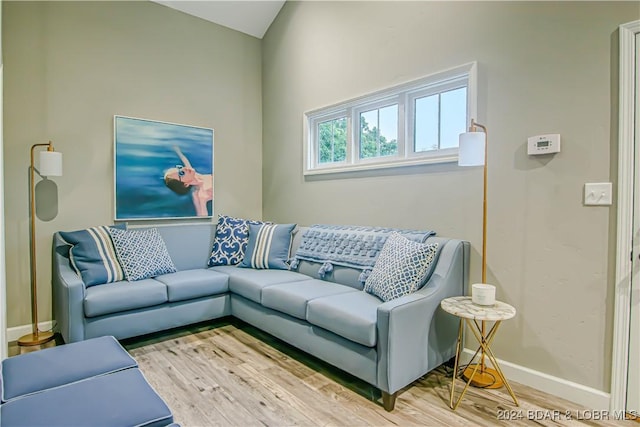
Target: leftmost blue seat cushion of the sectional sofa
(122,296)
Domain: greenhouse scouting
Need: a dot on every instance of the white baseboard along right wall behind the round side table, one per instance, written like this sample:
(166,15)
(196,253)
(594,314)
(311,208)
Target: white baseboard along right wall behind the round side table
(588,397)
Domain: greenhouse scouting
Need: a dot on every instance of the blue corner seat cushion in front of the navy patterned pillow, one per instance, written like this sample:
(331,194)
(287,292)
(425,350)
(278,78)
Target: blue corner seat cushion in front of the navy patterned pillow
(249,282)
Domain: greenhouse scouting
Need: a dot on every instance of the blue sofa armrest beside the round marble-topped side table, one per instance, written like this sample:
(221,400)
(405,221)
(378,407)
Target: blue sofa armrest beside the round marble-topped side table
(414,335)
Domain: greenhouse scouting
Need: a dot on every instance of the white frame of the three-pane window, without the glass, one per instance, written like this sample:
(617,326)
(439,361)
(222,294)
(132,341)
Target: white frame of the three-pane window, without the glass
(404,96)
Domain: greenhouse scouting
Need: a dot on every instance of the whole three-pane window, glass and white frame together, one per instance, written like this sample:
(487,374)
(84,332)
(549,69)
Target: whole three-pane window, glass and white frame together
(414,123)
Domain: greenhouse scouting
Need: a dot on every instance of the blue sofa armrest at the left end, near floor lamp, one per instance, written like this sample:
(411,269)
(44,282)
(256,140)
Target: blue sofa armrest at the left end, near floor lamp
(68,297)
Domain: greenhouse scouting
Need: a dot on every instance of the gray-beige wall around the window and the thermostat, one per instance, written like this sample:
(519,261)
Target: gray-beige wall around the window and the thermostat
(544,67)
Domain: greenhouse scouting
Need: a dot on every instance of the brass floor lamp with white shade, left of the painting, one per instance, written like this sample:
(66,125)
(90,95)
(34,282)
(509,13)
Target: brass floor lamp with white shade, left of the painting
(50,165)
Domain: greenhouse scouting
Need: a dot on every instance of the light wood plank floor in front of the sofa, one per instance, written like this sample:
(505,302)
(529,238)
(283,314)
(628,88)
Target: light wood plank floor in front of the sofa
(231,374)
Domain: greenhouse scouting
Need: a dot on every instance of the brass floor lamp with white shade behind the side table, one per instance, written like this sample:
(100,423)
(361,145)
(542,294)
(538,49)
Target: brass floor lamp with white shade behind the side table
(473,152)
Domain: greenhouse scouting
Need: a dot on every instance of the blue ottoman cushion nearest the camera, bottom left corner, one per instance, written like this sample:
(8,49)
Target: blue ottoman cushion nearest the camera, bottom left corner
(122,398)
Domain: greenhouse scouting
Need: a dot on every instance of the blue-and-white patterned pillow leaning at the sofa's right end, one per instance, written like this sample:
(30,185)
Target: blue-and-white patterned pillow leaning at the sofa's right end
(401,267)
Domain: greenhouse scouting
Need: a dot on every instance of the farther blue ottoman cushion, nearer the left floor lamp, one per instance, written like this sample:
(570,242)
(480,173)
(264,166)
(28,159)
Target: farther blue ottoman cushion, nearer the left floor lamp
(52,367)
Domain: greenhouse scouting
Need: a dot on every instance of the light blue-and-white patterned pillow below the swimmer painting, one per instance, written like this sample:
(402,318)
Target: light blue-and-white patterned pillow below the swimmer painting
(142,253)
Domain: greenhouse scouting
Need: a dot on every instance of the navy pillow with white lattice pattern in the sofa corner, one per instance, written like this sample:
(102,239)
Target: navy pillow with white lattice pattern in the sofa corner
(230,243)
